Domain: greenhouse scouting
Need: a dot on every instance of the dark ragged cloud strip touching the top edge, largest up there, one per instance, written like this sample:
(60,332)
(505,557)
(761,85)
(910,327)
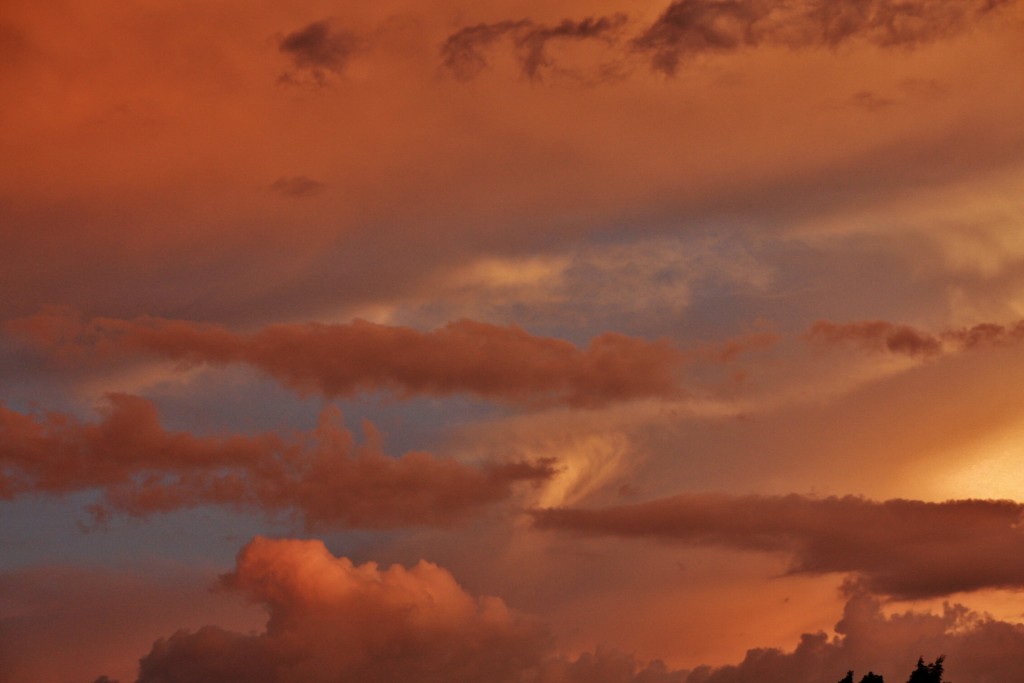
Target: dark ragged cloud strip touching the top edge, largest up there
(689,28)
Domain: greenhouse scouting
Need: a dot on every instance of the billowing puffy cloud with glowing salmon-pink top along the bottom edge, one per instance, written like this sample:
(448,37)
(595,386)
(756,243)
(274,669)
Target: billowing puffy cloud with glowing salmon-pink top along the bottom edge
(331,620)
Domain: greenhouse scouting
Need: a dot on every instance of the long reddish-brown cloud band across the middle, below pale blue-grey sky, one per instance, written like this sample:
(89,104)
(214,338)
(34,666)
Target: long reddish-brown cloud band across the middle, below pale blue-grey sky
(503,363)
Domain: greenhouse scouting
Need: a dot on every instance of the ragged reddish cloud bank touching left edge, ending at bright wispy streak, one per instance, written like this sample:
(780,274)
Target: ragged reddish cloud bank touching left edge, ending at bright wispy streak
(325,478)
